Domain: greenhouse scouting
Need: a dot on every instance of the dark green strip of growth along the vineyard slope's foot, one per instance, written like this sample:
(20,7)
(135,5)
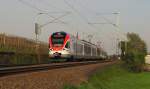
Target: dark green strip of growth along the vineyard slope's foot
(23,59)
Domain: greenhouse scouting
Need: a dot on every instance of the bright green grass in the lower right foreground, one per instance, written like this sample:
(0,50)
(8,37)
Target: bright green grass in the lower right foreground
(115,77)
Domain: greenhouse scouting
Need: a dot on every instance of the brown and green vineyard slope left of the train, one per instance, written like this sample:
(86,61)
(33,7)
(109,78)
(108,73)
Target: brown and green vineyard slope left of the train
(19,50)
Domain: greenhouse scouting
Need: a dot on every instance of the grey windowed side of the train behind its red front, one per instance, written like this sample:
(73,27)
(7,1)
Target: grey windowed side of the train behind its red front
(84,50)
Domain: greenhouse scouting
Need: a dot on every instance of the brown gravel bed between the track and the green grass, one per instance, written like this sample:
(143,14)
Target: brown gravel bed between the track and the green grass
(49,79)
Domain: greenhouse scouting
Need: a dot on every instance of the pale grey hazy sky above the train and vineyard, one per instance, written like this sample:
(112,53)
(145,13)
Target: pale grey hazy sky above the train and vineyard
(17,17)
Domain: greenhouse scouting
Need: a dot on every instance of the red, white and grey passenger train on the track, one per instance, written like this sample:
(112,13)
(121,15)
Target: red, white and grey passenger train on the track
(65,45)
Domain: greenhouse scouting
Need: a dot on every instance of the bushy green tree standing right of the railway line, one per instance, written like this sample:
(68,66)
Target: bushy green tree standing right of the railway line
(135,52)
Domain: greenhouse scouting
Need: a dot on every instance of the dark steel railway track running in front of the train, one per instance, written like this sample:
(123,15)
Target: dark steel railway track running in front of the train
(20,69)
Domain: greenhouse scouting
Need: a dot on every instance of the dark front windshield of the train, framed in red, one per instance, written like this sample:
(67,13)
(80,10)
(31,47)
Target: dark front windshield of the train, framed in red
(58,39)
